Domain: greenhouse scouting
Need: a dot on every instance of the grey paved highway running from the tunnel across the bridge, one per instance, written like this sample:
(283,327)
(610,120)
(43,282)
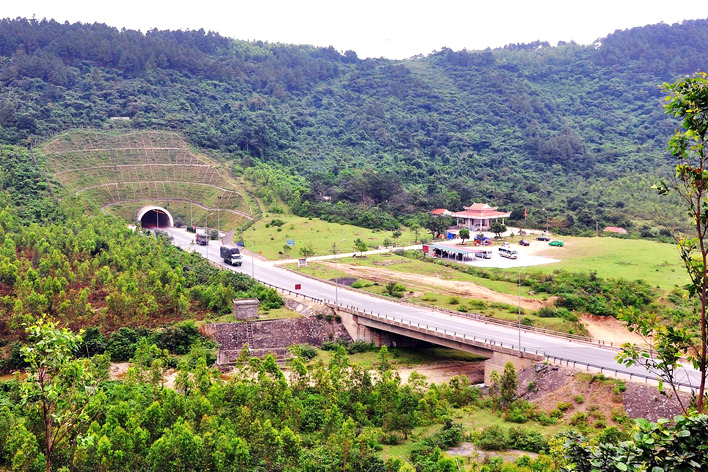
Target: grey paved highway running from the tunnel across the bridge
(547,345)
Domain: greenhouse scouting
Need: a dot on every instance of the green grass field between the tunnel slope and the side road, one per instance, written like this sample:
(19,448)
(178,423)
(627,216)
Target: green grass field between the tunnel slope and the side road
(269,240)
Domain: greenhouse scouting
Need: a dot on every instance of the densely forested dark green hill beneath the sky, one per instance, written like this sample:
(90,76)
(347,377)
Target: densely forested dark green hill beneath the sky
(578,130)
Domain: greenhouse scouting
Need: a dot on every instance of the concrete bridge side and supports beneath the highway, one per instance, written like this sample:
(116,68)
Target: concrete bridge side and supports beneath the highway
(385,330)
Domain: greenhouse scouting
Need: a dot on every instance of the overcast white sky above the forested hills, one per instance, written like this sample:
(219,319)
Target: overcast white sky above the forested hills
(374,28)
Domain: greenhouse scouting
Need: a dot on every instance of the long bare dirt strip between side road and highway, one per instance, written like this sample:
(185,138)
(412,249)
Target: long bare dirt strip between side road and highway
(446,287)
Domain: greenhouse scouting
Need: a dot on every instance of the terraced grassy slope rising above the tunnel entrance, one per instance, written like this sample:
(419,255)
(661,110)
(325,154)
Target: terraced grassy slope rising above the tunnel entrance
(124,172)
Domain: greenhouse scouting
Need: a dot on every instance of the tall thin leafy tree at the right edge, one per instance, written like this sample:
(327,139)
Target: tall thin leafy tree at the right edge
(687,99)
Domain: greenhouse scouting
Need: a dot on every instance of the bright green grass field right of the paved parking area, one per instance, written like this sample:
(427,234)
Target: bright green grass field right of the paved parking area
(656,263)
